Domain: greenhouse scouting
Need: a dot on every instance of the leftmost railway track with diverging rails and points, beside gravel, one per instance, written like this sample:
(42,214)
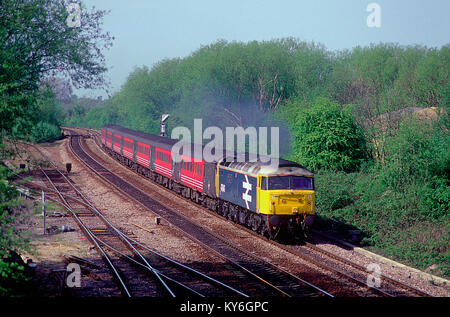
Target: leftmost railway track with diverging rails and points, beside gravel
(137,274)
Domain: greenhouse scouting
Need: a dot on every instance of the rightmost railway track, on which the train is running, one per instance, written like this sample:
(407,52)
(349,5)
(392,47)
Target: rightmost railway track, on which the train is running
(328,261)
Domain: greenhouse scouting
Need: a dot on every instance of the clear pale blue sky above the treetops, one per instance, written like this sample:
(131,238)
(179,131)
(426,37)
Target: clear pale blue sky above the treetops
(147,31)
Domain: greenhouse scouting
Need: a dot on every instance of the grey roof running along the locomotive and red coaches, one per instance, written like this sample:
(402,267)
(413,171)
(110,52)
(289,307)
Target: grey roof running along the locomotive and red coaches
(240,162)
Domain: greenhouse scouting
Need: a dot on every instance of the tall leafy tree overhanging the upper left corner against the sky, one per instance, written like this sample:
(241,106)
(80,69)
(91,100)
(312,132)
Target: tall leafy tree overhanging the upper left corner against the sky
(36,41)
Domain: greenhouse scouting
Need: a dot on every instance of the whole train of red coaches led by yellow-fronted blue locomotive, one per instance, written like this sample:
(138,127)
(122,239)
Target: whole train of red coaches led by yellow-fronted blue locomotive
(273,201)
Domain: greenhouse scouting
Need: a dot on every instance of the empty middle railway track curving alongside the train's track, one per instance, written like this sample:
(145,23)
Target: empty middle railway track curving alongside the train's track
(263,277)
